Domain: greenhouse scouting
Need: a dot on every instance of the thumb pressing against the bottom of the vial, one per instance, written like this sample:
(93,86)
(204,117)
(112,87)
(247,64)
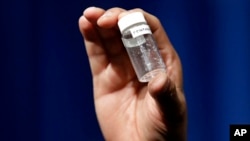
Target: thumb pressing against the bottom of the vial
(170,100)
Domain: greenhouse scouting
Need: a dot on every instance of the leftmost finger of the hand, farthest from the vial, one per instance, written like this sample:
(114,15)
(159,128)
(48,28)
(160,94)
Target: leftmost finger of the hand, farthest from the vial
(93,44)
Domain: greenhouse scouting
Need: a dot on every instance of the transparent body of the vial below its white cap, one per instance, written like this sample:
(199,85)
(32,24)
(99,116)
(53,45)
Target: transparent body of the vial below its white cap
(144,55)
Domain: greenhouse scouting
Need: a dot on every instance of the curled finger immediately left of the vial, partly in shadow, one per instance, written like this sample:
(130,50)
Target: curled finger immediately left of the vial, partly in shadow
(115,51)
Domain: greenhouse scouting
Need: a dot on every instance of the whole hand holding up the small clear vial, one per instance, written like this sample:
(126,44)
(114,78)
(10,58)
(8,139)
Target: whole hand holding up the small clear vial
(128,110)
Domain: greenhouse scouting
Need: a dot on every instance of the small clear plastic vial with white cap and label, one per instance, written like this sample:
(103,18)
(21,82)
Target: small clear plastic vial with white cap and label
(141,46)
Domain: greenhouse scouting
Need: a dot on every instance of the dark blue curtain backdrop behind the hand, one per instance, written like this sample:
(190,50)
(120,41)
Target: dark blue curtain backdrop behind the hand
(45,91)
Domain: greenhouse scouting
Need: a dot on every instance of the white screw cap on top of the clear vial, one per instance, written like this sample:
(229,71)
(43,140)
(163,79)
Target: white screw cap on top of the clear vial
(130,19)
